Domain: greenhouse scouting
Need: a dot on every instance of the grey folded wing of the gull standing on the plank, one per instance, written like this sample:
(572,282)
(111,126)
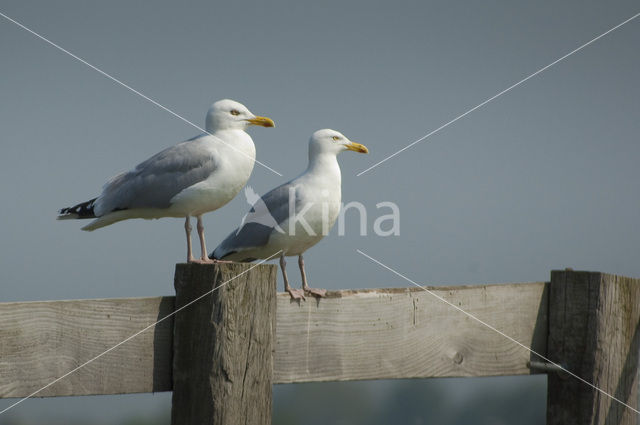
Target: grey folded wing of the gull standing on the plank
(253,234)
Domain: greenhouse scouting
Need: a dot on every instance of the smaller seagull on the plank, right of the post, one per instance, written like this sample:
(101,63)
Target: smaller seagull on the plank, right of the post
(304,209)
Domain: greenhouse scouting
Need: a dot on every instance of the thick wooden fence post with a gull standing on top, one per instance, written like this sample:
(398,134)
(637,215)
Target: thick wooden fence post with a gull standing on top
(223,344)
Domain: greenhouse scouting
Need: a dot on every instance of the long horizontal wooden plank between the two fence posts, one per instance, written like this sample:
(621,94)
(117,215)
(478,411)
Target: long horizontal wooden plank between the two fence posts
(408,333)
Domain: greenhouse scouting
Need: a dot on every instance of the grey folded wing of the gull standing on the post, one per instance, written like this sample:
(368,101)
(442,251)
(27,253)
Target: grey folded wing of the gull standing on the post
(154,182)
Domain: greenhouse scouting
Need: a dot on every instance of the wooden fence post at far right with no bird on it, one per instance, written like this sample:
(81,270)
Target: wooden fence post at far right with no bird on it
(594,331)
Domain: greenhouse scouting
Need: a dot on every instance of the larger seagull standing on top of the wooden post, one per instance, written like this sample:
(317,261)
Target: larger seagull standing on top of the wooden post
(189,179)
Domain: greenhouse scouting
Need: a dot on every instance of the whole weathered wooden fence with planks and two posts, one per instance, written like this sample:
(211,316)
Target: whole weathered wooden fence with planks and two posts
(221,354)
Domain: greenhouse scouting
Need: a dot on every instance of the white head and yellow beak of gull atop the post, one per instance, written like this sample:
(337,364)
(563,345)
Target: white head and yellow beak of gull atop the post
(228,114)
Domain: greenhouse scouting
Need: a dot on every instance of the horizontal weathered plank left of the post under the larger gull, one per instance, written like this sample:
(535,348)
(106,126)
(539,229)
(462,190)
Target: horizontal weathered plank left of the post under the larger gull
(42,341)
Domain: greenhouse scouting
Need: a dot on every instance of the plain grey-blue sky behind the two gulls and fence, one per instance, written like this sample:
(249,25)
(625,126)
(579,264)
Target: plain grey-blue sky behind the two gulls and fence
(544,177)
